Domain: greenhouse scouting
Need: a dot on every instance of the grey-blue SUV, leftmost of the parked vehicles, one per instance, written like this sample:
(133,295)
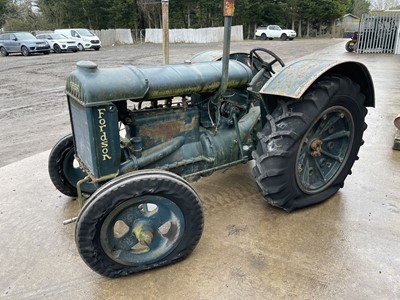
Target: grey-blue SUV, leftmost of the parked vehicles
(22,42)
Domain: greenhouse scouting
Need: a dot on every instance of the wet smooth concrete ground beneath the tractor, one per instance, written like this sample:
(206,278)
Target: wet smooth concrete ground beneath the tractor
(344,248)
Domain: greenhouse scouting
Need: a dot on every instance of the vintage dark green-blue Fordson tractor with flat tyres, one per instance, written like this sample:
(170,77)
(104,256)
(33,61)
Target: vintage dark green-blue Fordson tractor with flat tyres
(139,135)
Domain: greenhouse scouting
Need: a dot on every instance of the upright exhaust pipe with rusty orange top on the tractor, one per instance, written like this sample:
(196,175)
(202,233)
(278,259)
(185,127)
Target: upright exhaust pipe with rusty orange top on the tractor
(229,9)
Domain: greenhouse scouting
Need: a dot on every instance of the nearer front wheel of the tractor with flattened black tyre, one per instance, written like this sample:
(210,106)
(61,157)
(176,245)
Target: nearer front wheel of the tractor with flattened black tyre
(139,221)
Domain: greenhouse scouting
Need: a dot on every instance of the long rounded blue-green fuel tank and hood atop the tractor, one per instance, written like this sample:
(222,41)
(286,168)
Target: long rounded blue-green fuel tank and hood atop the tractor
(93,86)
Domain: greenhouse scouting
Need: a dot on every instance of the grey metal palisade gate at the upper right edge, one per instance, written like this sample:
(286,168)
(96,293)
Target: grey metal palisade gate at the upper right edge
(378,33)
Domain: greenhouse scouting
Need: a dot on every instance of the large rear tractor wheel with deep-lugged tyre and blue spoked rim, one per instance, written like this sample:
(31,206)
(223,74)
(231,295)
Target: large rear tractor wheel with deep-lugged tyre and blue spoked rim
(308,146)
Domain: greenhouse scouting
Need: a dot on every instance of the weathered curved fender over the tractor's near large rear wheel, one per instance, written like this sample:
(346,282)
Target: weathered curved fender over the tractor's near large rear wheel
(294,80)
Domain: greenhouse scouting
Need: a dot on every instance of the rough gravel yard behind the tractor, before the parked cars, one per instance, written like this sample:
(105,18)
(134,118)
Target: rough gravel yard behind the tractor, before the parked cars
(34,112)
